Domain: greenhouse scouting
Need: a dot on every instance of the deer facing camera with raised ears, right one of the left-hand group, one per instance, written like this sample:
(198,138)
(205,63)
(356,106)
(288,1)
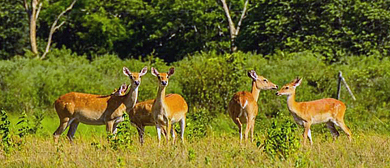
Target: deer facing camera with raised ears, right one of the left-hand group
(169,109)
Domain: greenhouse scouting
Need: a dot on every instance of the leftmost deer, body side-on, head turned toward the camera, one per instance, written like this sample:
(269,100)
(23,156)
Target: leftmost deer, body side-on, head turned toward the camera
(73,108)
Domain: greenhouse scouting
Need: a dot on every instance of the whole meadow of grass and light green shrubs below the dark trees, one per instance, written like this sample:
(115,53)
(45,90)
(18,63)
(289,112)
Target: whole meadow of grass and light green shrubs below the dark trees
(207,82)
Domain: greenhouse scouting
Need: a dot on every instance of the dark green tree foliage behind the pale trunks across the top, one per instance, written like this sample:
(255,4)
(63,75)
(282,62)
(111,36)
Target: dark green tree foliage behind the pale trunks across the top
(173,29)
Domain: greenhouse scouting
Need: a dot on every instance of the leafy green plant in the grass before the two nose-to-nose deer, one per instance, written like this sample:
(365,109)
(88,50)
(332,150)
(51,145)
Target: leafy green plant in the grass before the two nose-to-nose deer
(281,140)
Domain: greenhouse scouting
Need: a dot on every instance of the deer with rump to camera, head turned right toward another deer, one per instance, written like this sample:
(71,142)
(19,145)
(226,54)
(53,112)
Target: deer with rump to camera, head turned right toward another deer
(243,107)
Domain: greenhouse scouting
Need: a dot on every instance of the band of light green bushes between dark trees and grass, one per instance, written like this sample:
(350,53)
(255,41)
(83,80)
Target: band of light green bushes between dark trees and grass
(207,81)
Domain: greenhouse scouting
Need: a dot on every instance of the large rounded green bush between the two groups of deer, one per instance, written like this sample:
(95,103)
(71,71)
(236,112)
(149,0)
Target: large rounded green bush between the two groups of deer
(209,80)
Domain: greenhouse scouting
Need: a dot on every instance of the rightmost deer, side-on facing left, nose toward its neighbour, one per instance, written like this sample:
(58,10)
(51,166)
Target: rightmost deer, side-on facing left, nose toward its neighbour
(328,110)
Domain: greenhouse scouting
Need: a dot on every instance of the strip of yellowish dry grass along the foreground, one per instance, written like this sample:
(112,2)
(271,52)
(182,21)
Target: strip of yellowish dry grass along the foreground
(219,149)
